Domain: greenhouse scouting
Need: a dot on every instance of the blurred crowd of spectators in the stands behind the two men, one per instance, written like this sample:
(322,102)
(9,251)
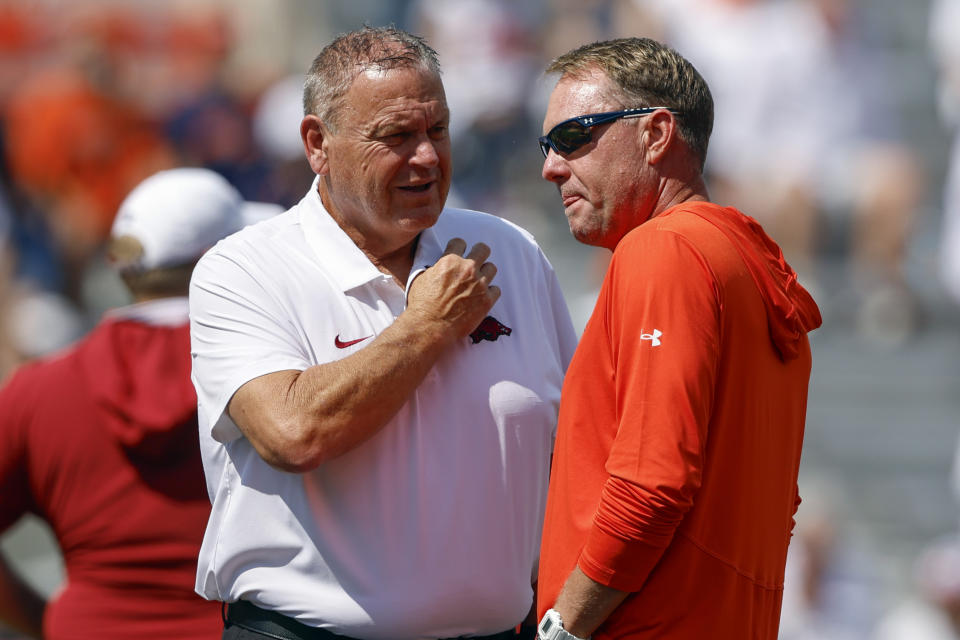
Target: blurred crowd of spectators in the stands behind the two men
(815,135)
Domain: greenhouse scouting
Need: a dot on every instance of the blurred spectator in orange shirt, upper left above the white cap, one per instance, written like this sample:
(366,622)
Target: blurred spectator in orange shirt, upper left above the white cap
(75,151)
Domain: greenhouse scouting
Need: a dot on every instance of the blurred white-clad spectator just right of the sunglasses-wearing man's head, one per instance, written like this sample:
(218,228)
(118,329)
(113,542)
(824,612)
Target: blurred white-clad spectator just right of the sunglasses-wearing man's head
(761,59)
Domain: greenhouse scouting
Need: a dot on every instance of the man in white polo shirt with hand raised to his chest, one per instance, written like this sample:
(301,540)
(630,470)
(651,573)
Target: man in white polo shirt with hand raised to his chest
(376,418)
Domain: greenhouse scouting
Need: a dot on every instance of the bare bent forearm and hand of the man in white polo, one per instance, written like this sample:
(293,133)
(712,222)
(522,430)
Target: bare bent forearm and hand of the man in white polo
(296,420)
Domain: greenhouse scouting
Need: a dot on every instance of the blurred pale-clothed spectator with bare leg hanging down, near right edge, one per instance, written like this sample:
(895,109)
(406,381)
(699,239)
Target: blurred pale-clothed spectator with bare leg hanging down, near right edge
(871,180)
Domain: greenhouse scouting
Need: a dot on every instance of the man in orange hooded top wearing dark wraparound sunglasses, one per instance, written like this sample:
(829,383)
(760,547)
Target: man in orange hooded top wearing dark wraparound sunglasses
(674,476)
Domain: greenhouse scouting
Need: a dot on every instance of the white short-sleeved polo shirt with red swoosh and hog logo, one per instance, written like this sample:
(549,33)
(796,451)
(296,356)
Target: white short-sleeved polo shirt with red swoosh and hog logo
(429,529)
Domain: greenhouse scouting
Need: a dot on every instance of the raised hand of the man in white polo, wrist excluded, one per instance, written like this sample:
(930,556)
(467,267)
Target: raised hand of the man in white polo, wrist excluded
(455,293)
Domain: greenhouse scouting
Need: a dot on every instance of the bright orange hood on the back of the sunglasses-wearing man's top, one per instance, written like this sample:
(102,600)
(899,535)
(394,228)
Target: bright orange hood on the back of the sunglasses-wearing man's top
(791,310)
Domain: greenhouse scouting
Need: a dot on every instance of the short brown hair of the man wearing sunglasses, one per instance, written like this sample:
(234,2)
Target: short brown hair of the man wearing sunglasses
(647,73)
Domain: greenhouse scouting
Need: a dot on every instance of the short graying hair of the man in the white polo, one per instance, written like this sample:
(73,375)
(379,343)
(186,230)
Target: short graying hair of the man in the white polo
(350,54)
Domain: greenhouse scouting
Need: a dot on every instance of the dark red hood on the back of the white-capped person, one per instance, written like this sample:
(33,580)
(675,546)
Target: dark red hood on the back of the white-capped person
(138,375)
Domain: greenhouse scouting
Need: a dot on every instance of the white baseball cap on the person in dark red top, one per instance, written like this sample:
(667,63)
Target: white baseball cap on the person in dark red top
(177,215)
